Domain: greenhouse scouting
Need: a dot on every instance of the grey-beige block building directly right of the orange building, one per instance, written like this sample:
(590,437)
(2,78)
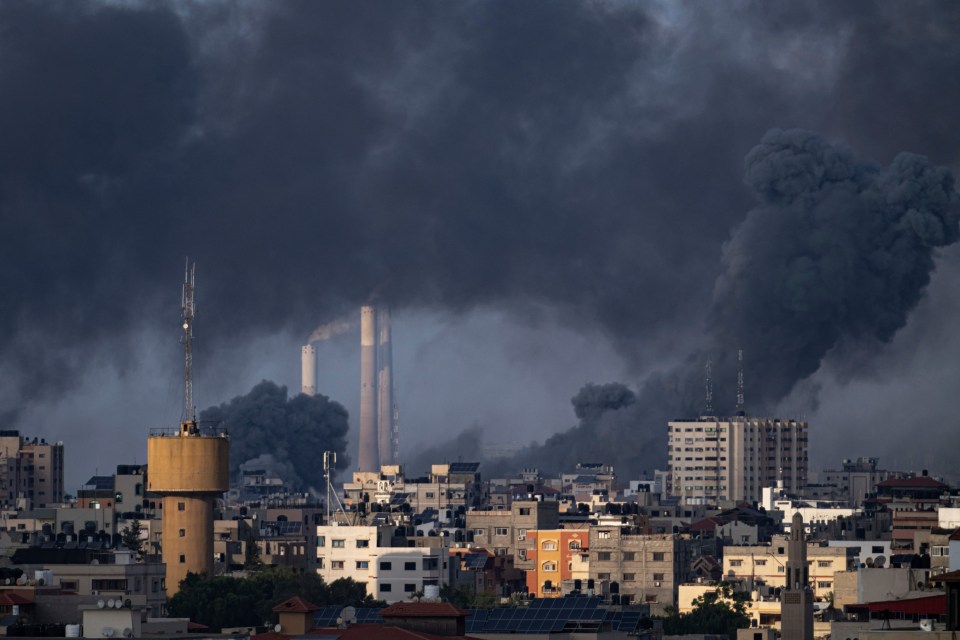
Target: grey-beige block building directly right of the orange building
(648,568)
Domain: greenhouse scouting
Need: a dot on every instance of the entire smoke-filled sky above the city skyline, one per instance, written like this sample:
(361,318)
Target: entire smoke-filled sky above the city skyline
(548,195)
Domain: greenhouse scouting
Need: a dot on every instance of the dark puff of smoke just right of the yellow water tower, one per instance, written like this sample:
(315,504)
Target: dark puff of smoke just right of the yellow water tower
(286,436)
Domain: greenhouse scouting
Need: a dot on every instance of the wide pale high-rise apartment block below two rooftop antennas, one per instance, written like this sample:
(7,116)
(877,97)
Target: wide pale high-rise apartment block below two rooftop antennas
(712,459)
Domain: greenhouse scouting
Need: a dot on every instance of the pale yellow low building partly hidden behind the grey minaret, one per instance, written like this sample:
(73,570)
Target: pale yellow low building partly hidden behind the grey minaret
(766,564)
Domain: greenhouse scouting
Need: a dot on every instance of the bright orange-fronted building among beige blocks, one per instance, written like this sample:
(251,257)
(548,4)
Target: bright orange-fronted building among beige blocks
(557,555)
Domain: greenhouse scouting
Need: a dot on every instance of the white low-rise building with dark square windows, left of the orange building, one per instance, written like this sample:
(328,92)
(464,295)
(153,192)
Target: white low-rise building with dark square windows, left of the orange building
(365,554)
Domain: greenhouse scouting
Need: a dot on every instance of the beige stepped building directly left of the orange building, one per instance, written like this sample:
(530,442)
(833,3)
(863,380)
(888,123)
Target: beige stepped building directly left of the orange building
(505,532)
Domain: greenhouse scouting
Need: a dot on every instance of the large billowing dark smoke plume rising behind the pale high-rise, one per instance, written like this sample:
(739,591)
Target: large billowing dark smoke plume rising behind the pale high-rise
(839,251)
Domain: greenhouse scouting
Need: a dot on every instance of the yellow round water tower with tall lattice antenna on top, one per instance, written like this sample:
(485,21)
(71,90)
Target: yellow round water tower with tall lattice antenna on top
(189,468)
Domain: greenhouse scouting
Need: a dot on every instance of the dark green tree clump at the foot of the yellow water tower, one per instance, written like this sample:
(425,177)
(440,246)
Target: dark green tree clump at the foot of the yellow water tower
(223,601)
